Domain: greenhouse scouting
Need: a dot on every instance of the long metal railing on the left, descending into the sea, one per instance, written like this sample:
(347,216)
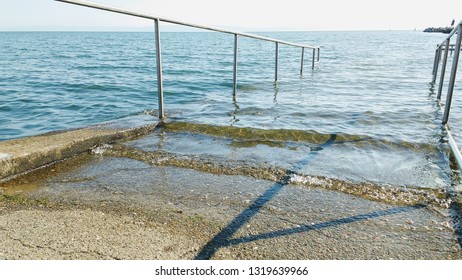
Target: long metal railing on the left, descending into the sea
(157,19)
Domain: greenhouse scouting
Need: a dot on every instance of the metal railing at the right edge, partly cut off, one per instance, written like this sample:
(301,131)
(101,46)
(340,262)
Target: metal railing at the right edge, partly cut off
(442,52)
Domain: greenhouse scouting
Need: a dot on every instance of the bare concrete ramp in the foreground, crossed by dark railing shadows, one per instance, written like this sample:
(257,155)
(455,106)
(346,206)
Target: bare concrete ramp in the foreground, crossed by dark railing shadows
(102,207)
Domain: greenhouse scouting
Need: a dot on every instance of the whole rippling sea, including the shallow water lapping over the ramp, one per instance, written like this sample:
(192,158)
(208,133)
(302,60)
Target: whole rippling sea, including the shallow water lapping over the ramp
(367,112)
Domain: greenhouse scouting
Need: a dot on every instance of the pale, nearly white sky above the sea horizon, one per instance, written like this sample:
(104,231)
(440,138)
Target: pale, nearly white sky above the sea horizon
(245,15)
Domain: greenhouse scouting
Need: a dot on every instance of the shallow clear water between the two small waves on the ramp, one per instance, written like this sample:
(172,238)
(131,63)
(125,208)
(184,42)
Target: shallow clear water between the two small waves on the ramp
(353,158)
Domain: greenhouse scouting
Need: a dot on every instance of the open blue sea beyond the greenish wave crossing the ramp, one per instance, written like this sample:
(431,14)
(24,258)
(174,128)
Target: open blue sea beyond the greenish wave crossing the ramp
(368,83)
